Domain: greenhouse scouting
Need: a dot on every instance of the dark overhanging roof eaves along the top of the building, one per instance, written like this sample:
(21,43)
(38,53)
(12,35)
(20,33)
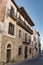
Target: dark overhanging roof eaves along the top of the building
(24,14)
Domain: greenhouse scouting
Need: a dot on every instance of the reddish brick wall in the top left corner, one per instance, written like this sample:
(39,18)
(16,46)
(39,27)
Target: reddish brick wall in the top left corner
(2,9)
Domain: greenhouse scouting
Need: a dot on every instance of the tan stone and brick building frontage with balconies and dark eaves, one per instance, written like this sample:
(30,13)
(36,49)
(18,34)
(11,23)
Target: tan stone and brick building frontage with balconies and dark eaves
(16,33)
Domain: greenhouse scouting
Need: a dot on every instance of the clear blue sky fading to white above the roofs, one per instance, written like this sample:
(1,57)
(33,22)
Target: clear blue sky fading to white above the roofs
(34,8)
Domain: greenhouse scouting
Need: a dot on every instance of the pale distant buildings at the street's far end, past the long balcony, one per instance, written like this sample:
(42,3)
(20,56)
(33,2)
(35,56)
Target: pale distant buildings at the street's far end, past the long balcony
(36,44)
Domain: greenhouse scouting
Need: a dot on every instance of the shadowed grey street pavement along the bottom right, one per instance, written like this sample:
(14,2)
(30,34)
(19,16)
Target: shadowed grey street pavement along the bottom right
(37,61)
